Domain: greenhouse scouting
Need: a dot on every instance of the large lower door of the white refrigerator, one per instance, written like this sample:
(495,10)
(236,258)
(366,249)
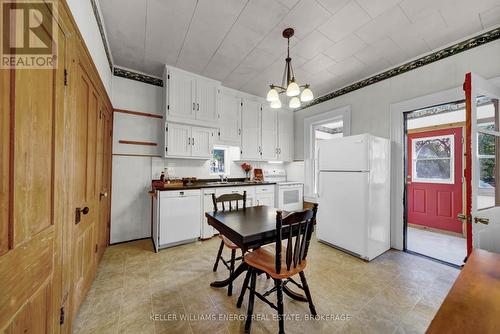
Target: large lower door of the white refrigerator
(343,199)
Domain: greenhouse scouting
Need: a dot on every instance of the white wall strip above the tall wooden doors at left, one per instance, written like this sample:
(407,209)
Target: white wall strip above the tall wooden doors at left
(87,24)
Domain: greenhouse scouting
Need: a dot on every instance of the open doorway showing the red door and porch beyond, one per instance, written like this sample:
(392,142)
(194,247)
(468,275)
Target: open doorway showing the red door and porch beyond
(434,191)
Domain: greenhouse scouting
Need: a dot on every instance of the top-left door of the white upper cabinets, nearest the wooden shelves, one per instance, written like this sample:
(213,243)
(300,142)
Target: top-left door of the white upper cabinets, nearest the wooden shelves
(181,95)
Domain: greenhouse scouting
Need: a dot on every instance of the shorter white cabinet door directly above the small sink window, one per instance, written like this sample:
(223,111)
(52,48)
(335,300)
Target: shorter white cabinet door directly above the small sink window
(229,120)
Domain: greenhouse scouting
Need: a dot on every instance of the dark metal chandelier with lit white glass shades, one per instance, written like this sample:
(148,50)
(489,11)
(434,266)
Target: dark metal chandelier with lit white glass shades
(288,84)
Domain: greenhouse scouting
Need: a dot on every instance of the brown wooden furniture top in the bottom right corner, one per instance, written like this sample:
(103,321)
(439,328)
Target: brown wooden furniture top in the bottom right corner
(473,303)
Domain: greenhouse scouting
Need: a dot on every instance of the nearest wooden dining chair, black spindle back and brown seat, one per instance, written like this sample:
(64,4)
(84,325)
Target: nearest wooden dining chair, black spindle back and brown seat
(281,263)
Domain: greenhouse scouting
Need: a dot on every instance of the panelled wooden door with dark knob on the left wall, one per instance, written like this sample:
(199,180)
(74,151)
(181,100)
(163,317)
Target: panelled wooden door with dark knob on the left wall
(86,179)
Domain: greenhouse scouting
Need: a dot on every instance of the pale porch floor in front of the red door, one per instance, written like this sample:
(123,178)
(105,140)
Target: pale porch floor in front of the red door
(437,245)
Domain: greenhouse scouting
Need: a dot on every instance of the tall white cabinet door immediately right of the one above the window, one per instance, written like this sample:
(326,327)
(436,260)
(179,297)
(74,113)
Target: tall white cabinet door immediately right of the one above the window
(250,124)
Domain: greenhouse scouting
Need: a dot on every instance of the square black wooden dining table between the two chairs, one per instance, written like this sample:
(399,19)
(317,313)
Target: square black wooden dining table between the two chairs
(249,229)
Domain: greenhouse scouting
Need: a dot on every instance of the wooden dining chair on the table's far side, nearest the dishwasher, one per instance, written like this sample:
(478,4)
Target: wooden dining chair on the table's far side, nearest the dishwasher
(226,201)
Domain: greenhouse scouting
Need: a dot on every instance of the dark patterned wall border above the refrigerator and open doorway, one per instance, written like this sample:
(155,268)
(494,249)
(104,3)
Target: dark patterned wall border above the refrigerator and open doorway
(452,50)
